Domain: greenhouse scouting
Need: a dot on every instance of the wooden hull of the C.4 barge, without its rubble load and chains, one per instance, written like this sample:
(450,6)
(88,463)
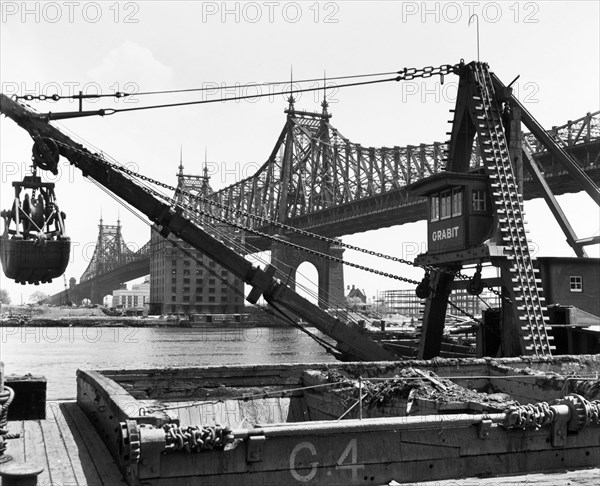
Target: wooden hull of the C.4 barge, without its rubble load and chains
(334,452)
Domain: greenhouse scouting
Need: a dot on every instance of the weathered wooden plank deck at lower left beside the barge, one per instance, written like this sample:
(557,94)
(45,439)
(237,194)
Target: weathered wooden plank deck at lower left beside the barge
(67,446)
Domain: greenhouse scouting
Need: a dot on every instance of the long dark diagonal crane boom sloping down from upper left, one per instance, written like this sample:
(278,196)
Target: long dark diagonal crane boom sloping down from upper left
(350,341)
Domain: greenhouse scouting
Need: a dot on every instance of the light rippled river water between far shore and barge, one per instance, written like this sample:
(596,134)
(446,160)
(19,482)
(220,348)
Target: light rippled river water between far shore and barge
(57,352)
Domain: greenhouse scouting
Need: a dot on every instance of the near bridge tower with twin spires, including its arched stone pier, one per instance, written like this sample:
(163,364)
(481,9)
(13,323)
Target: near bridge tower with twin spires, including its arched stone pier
(306,149)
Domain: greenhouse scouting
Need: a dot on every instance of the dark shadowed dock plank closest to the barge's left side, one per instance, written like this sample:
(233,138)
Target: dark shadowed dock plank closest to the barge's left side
(105,465)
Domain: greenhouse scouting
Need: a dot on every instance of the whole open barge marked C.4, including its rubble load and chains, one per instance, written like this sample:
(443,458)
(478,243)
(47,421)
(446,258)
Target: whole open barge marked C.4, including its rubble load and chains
(347,423)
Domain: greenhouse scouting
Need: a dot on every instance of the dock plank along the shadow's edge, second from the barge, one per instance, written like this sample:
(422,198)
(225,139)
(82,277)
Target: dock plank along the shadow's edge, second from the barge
(83,464)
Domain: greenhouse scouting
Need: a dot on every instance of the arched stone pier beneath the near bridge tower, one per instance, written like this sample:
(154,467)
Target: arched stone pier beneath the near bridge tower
(287,259)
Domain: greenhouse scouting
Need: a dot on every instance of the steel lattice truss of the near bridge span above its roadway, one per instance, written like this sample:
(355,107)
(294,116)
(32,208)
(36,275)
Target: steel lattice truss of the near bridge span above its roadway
(330,171)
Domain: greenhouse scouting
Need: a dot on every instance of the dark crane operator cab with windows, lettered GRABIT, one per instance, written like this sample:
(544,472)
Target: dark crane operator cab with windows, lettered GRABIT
(459,210)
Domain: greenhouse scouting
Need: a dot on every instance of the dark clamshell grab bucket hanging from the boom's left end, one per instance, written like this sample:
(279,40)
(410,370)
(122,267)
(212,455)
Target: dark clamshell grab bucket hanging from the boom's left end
(33,245)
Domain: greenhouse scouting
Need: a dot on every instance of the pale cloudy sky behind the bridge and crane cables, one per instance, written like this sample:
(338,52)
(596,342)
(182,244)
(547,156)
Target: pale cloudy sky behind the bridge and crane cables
(65,47)
